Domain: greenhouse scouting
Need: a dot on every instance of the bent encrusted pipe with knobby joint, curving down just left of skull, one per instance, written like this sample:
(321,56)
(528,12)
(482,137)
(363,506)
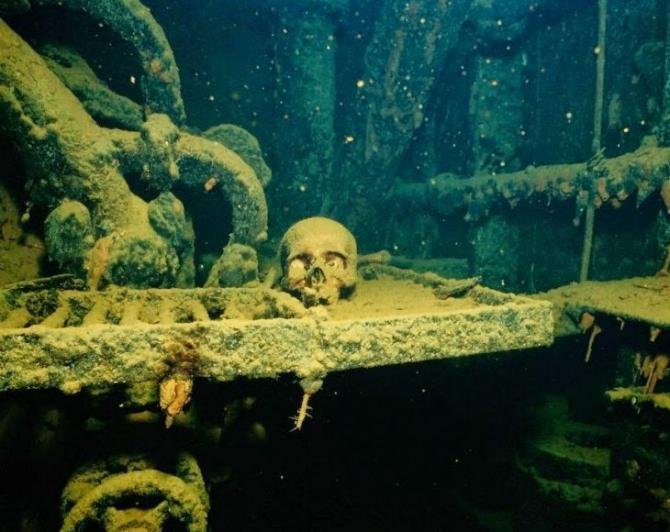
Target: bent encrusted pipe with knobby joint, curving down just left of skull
(163,154)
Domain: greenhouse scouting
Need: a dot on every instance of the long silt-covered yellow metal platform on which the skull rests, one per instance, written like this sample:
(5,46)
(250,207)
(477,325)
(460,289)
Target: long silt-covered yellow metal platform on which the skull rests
(69,339)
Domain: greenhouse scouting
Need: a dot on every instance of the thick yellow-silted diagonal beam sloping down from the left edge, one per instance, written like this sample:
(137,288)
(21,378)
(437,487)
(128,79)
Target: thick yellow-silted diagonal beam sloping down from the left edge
(51,127)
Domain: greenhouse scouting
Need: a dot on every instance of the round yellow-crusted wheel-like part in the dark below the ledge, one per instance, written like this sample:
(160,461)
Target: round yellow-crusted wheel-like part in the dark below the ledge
(181,497)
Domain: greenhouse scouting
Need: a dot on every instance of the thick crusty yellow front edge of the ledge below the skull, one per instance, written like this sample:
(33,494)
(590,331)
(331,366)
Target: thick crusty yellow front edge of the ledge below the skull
(70,358)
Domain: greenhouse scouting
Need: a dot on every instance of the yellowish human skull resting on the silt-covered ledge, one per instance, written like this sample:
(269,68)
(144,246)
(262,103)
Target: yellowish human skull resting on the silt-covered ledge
(318,259)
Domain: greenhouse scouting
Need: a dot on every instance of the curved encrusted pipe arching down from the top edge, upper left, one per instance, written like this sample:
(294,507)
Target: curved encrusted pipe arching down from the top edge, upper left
(134,23)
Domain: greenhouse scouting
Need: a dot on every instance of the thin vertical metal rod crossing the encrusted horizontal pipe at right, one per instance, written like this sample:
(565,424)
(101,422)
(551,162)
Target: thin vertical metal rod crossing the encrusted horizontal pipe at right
(597,135)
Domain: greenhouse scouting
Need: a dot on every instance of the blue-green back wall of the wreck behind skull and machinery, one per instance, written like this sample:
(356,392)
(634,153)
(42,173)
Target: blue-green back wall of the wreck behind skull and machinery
(235,67)
